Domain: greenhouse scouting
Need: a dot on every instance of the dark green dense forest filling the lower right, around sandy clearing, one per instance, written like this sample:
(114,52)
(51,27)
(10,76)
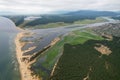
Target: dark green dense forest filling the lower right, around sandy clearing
(83,62)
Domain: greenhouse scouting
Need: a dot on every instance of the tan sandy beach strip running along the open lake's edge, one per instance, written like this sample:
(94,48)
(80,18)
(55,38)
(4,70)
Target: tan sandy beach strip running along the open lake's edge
(26,73)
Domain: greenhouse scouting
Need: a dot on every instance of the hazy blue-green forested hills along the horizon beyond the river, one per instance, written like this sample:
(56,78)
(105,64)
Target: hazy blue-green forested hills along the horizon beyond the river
(65,19)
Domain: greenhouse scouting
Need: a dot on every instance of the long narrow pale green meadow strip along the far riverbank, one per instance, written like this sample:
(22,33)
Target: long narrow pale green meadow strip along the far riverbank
(61,24)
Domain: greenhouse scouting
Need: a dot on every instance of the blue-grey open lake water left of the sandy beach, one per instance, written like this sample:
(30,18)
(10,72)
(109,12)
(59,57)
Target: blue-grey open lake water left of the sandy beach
(8,63)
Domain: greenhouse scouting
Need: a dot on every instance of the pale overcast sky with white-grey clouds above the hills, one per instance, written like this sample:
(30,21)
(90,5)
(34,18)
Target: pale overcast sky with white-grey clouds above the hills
(46,6)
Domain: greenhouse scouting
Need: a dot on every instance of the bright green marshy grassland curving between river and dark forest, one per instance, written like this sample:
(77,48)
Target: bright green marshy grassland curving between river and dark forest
(47,60)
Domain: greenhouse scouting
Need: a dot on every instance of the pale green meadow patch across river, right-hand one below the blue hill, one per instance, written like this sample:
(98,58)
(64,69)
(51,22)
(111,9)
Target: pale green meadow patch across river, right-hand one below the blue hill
(88,21)
